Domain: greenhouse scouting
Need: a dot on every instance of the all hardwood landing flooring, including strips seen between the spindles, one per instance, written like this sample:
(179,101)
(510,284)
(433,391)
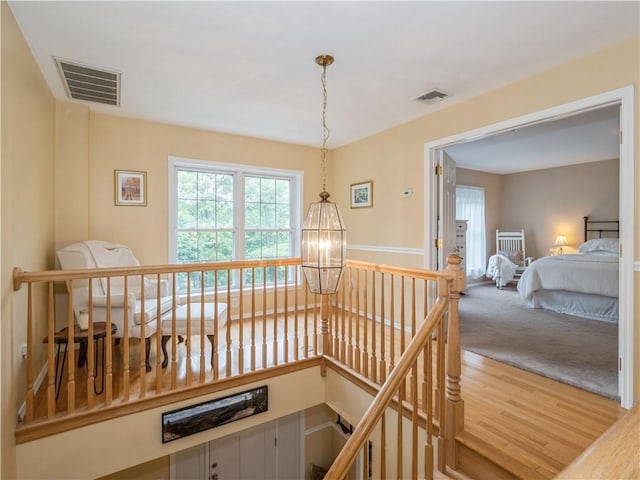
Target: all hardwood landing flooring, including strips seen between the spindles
(530,425)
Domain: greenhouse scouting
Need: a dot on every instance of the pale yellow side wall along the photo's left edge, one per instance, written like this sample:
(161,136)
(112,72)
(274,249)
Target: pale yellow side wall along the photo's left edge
(28,115)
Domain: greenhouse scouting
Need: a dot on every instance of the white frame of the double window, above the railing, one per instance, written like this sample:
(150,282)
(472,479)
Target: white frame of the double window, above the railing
(239,171)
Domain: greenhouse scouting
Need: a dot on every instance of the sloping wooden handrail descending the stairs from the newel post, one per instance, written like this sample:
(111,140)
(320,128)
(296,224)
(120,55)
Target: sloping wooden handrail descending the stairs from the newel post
(375,411)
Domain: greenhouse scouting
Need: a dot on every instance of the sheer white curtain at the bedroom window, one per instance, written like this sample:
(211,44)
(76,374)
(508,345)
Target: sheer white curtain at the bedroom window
(470,207)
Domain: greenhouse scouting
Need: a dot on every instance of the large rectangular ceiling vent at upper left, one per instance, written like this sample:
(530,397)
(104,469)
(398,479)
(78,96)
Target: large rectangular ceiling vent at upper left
(91,84)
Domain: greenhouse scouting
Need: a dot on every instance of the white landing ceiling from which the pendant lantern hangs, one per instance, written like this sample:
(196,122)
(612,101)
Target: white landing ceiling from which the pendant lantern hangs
(248,67)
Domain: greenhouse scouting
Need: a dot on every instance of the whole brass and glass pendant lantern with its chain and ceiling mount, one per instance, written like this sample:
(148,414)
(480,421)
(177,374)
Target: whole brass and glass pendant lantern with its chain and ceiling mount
(324,239)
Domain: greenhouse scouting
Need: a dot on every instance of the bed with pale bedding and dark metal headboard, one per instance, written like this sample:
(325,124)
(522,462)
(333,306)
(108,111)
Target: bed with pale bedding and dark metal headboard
(584,284)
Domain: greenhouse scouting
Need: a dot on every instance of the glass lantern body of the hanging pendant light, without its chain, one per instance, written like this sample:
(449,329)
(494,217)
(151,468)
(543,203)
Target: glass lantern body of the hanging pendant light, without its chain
(324,244)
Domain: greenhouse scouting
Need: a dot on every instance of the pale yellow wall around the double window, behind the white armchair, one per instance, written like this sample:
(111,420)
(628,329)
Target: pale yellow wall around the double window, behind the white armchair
(106,143)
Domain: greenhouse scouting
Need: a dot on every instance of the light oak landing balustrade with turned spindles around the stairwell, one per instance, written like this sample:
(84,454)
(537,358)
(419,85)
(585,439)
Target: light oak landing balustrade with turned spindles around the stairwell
(370,327)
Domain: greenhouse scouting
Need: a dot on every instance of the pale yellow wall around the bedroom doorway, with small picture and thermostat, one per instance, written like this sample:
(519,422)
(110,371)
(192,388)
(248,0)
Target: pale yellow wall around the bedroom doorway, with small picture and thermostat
(395,158)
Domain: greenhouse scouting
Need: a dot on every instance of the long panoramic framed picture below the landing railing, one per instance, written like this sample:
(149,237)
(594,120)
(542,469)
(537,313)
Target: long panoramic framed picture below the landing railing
(203,416)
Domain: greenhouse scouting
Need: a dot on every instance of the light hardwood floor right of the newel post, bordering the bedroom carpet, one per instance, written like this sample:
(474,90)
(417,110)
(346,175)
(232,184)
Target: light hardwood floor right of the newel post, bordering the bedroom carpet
(531,425)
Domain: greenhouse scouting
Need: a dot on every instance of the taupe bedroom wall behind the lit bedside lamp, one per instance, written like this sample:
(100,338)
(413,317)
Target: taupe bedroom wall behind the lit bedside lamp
(553,201)
